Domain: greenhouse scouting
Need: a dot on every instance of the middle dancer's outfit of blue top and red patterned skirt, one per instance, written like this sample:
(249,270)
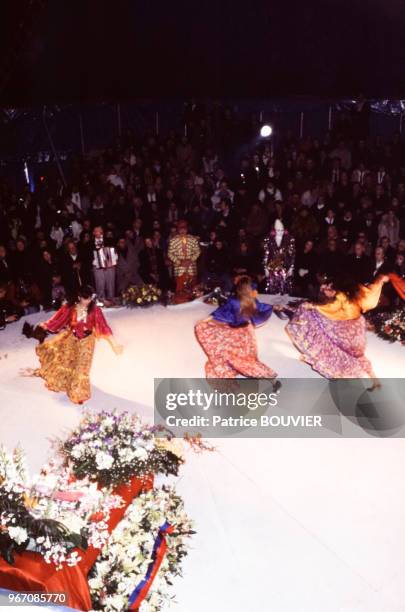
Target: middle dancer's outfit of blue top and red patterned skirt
(229,341)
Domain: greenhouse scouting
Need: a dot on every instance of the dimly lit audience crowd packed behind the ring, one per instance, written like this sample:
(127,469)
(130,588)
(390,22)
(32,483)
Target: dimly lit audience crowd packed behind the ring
(341,198)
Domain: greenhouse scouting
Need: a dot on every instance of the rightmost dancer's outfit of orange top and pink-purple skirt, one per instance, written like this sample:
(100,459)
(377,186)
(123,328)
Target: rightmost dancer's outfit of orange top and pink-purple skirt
(332,337)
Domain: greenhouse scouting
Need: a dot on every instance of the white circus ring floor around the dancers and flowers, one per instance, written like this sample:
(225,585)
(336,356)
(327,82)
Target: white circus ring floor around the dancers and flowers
(284,525)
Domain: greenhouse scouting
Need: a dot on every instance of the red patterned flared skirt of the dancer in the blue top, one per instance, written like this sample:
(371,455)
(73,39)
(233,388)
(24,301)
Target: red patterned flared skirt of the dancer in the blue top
(231,351)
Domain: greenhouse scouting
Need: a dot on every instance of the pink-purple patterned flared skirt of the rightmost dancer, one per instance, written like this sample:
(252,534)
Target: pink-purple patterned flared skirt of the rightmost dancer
(335,349)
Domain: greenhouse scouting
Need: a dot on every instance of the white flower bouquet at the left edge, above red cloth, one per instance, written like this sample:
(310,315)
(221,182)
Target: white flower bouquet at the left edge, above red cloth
(50,514)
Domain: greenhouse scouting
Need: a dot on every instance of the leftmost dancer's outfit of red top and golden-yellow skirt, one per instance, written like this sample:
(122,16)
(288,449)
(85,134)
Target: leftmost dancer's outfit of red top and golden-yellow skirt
(66,359)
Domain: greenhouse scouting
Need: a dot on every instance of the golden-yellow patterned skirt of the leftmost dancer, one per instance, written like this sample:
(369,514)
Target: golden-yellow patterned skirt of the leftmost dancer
(65,365)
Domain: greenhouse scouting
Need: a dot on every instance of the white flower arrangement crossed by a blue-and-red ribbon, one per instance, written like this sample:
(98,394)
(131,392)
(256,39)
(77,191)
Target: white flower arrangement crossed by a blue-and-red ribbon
(124,561)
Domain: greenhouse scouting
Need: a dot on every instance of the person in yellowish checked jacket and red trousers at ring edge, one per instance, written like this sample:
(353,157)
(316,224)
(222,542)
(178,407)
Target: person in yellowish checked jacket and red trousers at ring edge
(183,252)
